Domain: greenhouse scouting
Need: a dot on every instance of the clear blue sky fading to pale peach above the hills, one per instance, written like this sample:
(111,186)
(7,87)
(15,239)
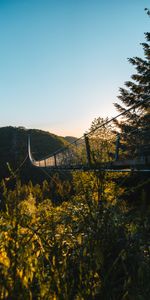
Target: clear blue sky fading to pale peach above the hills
(62,61)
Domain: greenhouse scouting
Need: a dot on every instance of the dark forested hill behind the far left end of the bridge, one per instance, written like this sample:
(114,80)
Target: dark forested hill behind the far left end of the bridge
(13,148)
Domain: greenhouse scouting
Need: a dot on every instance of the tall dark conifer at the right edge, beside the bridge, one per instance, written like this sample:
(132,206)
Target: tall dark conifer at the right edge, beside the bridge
(135,124)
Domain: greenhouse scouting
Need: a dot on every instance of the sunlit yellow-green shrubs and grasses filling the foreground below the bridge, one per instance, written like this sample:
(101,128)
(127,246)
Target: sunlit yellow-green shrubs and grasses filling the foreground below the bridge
(84,248)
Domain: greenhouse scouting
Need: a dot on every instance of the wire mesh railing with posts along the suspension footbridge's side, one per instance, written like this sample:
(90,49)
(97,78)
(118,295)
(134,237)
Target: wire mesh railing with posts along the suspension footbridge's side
(99,146)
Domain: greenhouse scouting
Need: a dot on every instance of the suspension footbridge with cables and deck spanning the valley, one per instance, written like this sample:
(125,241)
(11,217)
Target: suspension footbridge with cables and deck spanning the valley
(103,148)
